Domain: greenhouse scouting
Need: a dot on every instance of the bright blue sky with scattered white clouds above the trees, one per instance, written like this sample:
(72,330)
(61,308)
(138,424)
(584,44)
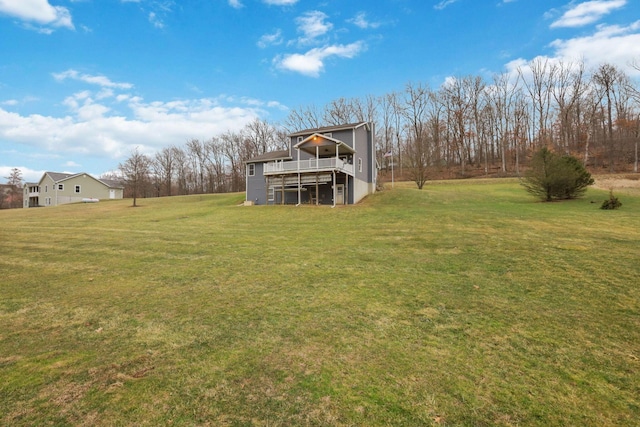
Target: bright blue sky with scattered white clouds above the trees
(84,82)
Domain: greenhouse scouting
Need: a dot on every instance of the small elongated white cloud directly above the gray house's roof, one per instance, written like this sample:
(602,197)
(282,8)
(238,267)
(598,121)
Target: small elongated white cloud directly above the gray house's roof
(312,62)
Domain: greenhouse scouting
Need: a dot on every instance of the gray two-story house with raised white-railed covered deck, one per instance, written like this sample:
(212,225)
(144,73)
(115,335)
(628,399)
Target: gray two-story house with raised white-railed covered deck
(332,165)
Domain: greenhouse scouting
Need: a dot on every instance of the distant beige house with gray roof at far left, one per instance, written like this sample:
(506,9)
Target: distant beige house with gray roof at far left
(56,188)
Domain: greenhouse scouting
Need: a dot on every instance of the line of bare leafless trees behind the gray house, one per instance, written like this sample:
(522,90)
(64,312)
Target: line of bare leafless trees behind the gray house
(468,125)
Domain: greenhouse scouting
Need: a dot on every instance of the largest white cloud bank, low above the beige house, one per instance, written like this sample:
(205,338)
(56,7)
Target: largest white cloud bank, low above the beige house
(99,129)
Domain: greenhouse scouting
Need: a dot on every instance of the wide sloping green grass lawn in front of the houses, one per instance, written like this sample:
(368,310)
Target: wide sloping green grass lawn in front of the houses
(466,303)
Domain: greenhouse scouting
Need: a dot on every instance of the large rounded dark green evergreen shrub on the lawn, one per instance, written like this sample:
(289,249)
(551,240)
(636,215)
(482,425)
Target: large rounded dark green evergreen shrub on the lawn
(553,176)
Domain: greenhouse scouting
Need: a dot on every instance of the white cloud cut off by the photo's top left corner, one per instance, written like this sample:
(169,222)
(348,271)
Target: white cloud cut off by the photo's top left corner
(38,11)
